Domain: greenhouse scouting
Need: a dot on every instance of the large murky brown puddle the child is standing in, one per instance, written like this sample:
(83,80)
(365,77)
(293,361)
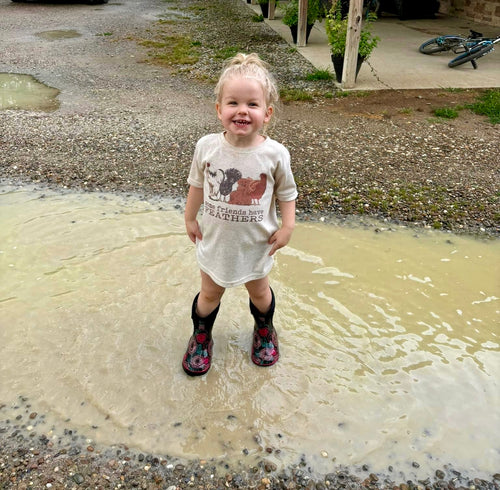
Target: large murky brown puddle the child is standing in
(390,342)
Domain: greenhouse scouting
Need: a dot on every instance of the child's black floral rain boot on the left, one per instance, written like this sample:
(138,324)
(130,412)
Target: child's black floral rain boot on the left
(198,357)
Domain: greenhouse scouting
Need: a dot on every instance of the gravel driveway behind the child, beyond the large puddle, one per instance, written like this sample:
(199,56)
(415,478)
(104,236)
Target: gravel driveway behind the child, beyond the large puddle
(122,125)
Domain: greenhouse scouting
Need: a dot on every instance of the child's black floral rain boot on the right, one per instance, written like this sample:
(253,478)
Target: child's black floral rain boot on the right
(265,350)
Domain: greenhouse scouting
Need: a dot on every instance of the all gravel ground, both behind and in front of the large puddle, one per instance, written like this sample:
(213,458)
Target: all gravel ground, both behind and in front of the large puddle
(128,122)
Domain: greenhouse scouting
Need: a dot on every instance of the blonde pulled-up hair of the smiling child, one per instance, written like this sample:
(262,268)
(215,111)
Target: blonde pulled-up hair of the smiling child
(249,66)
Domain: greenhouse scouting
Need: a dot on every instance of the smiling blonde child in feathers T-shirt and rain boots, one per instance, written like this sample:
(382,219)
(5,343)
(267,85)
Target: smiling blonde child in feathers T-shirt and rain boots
(238,175)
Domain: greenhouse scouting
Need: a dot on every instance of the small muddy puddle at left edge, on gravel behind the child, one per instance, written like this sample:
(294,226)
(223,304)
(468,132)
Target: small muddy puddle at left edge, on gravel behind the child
(25,92)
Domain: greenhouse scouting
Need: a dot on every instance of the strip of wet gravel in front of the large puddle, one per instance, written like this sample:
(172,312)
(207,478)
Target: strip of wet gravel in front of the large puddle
(35,455)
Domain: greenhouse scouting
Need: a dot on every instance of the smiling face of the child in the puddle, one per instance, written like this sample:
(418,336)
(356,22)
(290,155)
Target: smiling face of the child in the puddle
(243,111)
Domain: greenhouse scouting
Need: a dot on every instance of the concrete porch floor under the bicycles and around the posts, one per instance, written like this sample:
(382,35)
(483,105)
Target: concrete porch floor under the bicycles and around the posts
(396,63)
